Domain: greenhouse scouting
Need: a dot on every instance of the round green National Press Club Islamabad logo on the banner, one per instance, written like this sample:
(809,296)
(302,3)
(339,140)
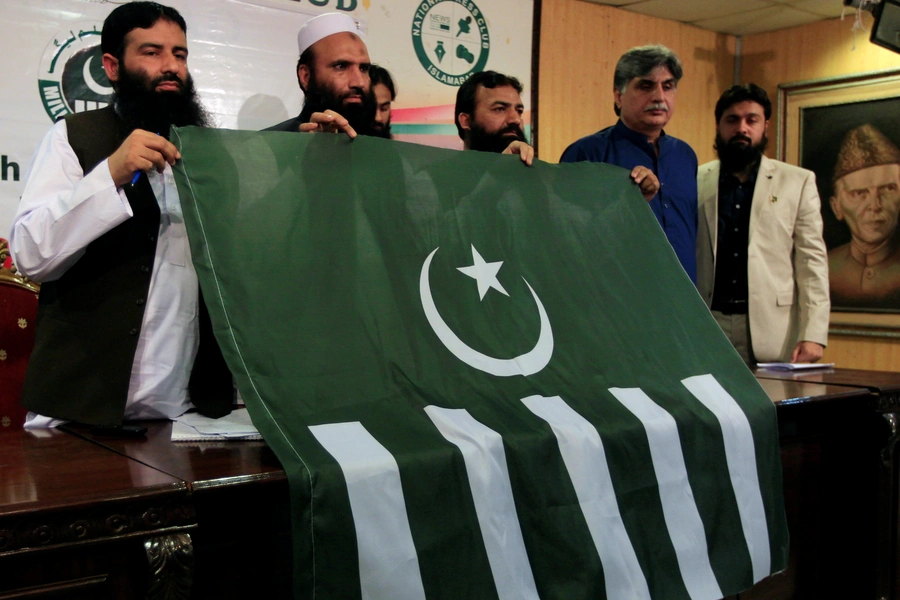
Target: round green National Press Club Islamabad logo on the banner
(451,39)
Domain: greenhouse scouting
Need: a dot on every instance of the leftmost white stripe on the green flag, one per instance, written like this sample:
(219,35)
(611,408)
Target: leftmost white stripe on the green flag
(388,565)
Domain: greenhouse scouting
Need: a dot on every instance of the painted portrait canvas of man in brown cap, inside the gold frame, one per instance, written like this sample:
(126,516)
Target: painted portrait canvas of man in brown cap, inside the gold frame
(854,149)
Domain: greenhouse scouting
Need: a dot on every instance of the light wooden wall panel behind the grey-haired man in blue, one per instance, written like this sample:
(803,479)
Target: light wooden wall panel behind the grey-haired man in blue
(580,44)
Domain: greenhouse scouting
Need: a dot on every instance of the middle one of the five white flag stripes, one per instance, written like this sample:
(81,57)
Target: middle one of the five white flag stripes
(585,460)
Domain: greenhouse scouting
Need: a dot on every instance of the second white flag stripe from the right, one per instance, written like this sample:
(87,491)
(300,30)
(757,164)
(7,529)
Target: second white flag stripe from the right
(679,508)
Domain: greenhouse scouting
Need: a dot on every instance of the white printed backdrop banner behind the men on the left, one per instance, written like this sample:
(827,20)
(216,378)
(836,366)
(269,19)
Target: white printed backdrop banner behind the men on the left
(243,57)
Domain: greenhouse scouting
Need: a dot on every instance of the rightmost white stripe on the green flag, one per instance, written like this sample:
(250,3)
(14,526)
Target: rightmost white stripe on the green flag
(740,453)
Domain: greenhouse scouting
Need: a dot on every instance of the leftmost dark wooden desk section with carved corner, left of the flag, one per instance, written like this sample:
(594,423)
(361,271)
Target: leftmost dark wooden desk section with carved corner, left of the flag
(77,521)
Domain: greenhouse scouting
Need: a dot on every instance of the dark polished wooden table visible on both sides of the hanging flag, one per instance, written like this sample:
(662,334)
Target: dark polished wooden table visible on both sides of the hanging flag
(232,499)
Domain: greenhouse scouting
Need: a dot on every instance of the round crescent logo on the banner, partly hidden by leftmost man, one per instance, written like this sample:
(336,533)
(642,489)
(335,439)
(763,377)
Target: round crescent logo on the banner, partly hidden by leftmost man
(72,78)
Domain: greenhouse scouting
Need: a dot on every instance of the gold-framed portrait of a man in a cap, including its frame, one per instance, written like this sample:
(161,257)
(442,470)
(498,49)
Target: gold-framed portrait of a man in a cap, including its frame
(847,131)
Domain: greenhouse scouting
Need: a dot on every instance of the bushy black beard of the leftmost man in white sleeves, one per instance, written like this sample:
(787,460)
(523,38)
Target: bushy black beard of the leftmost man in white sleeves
(141,107)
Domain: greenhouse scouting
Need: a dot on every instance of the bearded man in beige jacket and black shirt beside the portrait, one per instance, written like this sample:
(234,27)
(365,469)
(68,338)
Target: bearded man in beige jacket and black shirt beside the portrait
(762,267)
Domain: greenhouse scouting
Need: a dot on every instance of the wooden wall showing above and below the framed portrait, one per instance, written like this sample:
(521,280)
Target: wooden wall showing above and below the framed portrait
(814,51)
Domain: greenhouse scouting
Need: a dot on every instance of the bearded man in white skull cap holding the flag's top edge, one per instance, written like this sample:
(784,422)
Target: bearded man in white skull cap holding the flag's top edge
(333,72)
